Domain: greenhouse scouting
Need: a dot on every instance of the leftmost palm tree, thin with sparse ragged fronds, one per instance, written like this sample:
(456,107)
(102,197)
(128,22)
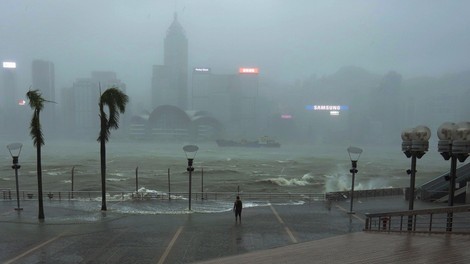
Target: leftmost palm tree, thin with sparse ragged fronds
(36,102)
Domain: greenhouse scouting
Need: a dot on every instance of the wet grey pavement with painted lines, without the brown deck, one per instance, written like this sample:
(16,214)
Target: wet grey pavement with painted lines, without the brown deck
(78,232)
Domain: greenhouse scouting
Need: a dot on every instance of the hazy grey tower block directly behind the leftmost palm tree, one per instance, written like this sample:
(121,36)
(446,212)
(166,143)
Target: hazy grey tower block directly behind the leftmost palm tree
(44,81)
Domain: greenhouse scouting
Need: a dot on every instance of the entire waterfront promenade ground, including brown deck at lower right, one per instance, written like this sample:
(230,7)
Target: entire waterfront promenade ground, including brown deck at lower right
(315,232)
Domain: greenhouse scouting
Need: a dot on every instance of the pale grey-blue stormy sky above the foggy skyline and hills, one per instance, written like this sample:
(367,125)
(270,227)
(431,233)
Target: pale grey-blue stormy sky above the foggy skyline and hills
(286,39)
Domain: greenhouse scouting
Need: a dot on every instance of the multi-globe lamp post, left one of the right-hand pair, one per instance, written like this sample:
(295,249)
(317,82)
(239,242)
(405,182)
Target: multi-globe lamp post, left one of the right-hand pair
(415,144)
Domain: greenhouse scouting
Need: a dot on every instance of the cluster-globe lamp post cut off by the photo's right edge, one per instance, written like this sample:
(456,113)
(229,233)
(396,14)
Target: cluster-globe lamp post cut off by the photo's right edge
(454,144)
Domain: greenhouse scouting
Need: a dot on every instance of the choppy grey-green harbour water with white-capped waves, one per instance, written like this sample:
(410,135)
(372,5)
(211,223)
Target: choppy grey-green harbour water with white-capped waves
(289,169)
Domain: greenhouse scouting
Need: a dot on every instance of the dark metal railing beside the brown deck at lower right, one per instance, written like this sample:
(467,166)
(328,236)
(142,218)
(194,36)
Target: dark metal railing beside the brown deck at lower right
(455,219)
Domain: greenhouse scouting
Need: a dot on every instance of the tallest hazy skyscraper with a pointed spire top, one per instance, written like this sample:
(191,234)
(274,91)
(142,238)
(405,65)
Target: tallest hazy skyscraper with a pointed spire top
(170,80)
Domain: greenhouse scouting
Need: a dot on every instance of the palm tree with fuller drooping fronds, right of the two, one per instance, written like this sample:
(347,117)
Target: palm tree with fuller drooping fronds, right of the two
(116,101)
